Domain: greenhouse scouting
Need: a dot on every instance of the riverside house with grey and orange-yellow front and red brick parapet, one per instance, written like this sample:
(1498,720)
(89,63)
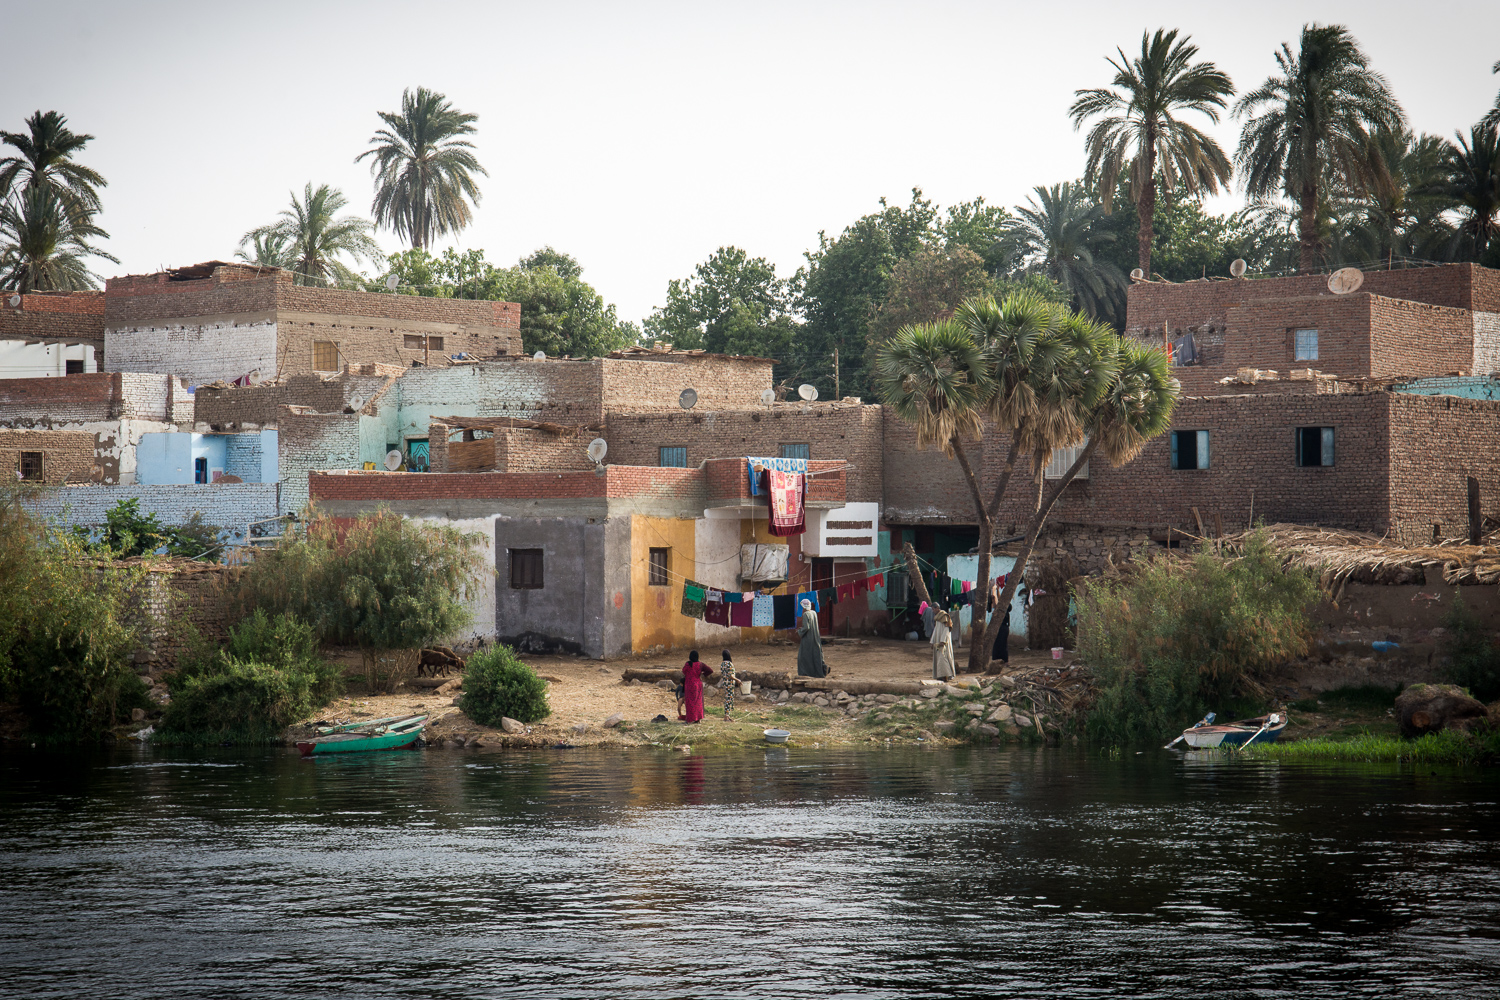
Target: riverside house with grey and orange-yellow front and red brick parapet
(596,561)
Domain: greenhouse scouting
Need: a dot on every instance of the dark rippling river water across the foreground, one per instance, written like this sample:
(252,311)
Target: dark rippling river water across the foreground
(755,873)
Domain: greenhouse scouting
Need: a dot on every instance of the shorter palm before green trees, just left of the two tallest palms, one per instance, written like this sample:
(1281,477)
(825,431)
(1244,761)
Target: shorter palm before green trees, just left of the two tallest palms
(1057,235)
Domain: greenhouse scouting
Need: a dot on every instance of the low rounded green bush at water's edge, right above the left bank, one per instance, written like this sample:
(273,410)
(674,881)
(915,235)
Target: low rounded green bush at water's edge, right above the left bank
(266,678)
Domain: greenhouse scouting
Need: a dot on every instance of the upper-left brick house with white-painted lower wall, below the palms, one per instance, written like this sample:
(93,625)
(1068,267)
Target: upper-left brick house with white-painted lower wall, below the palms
(238,322)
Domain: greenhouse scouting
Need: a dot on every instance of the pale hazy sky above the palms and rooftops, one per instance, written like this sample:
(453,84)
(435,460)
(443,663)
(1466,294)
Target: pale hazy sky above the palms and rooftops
(640,139)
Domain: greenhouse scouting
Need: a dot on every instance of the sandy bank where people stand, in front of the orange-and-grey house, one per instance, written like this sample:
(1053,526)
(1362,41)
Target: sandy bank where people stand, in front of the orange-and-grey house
(584,693)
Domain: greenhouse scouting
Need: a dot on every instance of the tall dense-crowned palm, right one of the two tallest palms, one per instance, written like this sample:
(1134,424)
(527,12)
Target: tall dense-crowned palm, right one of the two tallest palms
(1312,127)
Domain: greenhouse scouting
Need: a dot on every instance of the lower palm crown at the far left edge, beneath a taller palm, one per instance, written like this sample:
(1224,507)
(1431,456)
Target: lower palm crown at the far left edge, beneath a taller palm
(43,244)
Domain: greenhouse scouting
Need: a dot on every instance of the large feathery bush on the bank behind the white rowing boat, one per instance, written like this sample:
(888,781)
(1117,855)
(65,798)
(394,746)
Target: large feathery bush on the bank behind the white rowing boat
(1181,638)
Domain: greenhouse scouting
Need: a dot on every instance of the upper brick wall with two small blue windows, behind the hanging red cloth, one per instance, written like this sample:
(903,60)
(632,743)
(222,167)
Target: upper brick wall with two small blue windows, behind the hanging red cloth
(848,433)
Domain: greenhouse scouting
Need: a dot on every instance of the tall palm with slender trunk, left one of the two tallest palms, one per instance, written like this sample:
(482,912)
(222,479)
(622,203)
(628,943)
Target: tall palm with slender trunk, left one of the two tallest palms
(1142,133)
